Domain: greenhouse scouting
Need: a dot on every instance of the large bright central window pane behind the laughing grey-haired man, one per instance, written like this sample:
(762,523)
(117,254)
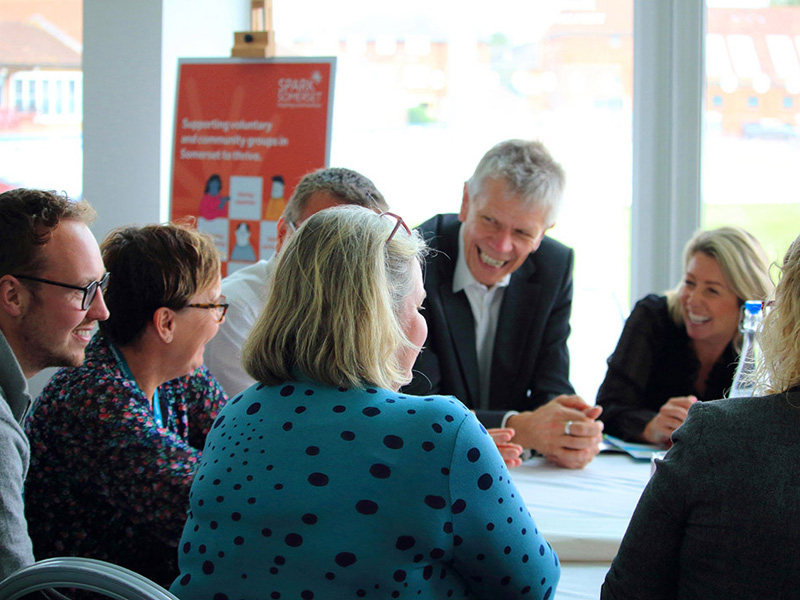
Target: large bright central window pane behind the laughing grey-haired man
(431,89)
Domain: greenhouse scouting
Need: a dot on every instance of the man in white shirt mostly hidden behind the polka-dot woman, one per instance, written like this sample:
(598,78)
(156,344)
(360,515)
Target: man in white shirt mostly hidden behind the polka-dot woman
(247,289)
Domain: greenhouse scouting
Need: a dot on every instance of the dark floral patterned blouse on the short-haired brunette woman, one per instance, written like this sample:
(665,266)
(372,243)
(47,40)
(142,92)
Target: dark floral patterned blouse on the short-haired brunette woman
(105,480)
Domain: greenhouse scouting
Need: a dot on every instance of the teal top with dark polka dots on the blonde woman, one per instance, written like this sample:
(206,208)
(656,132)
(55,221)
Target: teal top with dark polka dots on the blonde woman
(315,492)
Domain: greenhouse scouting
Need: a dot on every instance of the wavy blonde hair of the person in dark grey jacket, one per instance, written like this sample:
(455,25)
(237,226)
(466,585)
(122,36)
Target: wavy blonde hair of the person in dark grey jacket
(779,337)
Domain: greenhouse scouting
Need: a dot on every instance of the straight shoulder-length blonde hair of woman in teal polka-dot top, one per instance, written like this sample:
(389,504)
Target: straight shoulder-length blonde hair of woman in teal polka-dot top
(336,298)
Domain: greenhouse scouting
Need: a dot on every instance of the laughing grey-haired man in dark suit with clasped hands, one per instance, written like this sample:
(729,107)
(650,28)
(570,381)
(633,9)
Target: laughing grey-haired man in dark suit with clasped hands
(499,296)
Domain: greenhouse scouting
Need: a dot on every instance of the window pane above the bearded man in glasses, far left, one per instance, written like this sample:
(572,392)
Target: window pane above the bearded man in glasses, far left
(41,96)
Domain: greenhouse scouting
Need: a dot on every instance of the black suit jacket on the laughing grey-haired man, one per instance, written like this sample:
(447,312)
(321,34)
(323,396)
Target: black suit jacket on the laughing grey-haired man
(530,362)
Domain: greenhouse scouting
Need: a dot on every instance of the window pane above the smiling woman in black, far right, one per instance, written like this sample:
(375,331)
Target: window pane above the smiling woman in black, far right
(752,141)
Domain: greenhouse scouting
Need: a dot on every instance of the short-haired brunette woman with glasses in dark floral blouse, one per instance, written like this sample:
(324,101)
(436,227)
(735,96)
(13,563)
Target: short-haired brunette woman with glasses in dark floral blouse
(113,444)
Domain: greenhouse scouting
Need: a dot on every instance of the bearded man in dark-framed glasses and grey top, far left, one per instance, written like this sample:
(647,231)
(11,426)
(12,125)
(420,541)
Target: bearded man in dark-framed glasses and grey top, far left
(51,282)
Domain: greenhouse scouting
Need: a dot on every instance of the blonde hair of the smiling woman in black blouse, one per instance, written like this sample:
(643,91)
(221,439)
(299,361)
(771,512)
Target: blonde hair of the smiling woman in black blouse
(740,257)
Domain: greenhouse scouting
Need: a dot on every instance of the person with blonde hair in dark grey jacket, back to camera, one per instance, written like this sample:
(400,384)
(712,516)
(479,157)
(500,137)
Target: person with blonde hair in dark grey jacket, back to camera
(719,519)
